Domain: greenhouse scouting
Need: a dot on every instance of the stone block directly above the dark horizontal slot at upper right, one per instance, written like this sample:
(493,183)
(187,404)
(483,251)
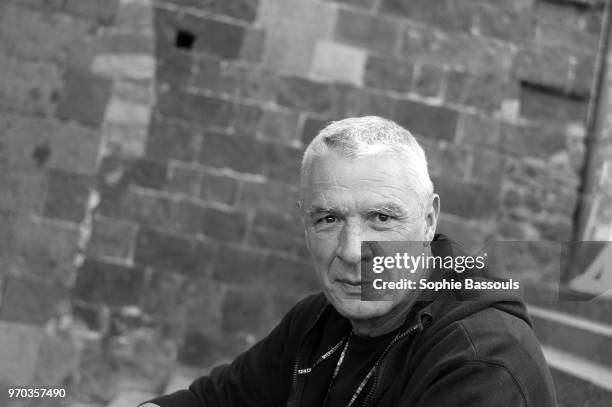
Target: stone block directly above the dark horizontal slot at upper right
(545,66)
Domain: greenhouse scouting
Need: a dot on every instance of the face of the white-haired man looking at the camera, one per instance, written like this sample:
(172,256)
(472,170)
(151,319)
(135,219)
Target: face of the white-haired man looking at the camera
(347,201)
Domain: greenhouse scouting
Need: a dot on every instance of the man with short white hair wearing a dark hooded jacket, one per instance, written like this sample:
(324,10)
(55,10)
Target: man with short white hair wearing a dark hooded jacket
(366,180)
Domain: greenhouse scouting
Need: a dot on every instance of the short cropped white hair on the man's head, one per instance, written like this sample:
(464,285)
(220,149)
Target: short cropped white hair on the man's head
(370,135)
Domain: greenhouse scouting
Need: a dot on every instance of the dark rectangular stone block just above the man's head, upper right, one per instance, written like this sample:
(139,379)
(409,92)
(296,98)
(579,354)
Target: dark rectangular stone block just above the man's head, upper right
(429,121)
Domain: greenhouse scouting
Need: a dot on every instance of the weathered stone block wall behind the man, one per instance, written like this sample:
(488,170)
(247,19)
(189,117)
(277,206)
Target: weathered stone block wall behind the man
(150,153)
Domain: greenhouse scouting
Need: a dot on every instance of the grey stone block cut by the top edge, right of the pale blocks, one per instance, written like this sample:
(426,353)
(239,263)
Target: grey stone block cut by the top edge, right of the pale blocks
(446,14)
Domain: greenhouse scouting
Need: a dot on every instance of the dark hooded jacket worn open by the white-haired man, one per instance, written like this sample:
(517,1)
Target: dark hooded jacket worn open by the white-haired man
(459,349)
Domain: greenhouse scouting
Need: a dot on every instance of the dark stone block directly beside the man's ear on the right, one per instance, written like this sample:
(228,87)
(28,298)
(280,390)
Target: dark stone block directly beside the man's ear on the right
(468,200)
